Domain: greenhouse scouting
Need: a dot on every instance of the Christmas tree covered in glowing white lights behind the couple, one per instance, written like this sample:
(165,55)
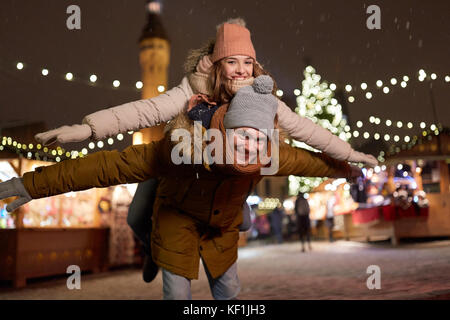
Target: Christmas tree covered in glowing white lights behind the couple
(316,101)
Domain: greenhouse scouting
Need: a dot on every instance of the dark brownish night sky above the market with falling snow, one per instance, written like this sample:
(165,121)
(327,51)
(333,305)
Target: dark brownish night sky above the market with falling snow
(330,35)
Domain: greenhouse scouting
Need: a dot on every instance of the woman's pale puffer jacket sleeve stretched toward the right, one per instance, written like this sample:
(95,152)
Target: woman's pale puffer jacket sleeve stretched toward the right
(304,130)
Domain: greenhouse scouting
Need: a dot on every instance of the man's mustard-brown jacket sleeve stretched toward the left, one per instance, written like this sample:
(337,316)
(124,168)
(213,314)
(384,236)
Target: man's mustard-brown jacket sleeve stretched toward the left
(100,169)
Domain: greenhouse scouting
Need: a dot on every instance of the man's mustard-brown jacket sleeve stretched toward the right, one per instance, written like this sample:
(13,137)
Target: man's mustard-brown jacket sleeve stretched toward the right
(305,163)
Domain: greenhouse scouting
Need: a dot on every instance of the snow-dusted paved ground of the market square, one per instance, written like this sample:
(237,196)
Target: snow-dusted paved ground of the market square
(331,271)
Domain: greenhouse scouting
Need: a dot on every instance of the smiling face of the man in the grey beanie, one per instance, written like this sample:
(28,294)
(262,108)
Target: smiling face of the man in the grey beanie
(248,142)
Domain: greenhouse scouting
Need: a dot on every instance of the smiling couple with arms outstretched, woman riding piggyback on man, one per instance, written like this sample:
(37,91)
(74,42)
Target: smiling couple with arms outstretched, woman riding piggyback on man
(198,208)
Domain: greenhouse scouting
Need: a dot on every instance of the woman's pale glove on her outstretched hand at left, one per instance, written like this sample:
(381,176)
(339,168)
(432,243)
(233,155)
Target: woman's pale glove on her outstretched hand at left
(65,134)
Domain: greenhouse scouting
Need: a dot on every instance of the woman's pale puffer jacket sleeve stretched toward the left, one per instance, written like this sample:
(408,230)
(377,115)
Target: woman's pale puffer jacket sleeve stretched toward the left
(141,113)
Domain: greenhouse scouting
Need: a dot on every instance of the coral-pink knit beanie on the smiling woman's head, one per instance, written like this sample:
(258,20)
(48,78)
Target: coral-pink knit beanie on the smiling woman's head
(232,39)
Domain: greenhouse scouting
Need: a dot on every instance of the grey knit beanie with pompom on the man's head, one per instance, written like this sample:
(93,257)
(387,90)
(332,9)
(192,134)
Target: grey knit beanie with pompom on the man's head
(253,106)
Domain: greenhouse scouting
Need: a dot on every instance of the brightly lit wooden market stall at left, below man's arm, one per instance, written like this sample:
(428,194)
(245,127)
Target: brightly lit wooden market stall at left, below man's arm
(45,236)
